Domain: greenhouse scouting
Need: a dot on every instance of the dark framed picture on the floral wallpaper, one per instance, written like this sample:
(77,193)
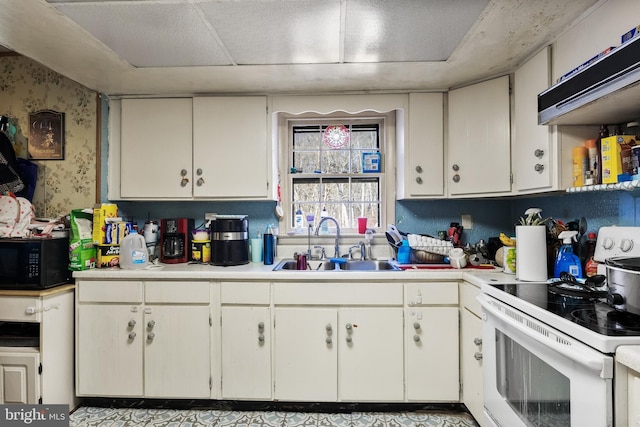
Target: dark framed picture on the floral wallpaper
(46,135)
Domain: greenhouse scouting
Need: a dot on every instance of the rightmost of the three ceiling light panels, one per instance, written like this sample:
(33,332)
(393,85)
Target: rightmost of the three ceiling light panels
(407,30)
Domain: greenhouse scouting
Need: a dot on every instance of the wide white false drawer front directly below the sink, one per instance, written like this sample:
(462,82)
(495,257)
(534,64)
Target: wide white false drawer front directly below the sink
(337,294)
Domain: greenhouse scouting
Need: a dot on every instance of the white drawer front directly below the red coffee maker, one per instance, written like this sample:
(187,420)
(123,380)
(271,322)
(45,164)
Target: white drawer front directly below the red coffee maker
(177,292)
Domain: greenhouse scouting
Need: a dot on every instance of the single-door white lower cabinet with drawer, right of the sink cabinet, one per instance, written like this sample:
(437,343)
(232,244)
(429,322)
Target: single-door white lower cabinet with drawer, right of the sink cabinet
(431,342)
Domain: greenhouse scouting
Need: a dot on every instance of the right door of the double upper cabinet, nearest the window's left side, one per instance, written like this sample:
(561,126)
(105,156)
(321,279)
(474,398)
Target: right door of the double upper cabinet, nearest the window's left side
(230,150)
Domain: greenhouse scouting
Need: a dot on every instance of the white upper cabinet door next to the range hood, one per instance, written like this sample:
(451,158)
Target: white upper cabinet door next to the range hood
(534,162)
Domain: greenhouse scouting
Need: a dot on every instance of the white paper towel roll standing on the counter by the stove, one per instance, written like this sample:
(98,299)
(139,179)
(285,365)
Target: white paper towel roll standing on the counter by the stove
(531,260)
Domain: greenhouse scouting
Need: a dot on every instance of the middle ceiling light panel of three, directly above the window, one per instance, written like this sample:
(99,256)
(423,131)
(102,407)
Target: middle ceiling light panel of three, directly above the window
(277,32)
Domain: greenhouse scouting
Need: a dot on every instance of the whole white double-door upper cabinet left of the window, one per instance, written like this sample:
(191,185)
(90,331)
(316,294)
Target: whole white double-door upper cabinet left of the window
(190,148)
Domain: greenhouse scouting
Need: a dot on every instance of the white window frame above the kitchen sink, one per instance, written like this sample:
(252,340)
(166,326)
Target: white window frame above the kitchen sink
(387,136)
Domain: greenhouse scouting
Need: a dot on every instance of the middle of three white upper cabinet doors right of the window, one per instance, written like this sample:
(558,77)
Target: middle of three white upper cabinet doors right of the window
(479,139)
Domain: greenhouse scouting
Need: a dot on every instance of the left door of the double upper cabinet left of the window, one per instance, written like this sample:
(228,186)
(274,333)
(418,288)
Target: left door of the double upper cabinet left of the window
(155,154)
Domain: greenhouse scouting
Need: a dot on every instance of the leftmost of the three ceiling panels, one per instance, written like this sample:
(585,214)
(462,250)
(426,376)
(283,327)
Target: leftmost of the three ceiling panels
(150,34)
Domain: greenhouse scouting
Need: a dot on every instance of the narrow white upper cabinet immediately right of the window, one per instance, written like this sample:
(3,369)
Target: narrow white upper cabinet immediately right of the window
(421,157)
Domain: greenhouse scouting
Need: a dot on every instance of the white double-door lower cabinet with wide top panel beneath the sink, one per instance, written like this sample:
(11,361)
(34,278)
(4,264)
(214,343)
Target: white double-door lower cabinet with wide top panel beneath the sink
(338,342)
